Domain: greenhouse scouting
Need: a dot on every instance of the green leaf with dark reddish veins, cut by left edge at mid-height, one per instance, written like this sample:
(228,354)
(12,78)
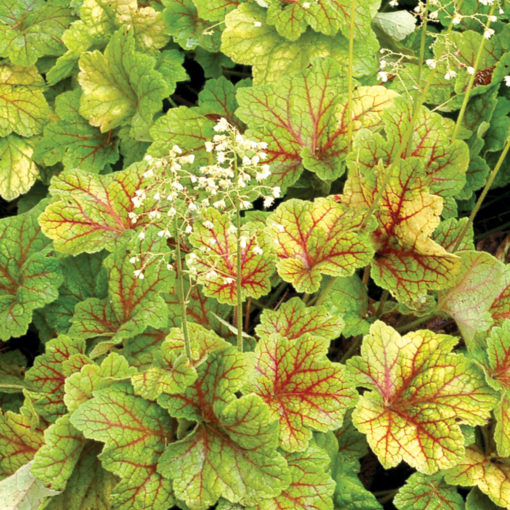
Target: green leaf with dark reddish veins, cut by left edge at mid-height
(28,277)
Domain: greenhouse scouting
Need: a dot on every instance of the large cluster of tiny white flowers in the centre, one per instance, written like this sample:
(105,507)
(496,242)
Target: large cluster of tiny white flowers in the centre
(177,192)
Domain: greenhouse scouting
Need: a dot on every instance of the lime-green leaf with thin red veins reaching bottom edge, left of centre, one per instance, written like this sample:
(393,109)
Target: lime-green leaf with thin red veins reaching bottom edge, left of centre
(135,432)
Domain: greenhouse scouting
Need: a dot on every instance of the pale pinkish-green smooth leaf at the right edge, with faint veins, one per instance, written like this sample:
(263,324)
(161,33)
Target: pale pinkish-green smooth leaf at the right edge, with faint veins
(475,288)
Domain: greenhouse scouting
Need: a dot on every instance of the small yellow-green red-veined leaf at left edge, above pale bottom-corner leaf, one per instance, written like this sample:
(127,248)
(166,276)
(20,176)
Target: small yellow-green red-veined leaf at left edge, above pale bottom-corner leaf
(19,441)
